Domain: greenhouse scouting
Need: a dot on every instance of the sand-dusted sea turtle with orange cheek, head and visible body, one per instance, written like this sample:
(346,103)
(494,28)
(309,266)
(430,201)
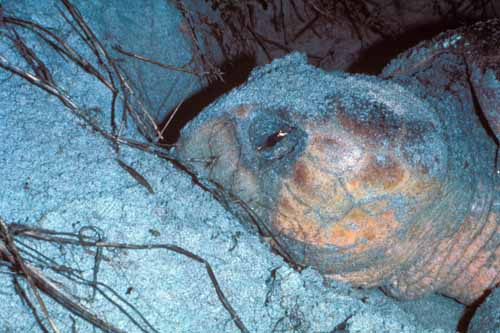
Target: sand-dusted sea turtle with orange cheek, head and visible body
(387,181)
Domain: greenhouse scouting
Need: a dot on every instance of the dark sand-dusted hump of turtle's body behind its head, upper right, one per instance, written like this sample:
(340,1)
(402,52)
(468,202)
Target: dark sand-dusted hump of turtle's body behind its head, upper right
(479,47)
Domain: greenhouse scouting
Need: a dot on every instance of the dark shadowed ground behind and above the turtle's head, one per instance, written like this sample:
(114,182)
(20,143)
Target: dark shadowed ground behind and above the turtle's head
(358,36)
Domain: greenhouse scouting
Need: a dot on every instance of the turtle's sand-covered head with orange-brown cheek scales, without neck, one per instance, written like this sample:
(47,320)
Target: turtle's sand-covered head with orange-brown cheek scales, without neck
(347,173)
